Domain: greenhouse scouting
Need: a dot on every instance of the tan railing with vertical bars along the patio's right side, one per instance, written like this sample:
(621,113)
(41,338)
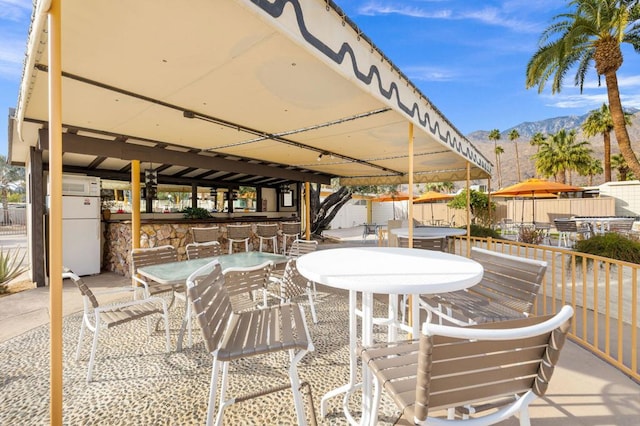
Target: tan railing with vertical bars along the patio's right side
(603,293)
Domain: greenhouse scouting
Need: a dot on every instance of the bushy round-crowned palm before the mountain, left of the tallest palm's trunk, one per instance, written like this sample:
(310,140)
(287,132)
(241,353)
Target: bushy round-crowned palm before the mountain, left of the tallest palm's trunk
(560,154)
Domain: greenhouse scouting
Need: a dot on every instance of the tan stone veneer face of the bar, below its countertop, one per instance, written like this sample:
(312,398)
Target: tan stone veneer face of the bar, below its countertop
(117,244)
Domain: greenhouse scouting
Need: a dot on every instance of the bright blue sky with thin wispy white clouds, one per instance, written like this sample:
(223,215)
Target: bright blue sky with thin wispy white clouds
(468,57)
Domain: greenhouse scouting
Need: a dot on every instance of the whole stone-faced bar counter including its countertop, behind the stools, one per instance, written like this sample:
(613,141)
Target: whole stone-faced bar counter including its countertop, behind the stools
(116,255)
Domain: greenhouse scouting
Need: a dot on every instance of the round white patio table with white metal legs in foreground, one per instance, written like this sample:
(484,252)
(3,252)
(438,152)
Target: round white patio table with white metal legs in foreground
(383,270)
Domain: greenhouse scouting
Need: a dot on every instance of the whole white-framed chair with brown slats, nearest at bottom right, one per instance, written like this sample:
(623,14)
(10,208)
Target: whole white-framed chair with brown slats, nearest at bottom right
(502,367)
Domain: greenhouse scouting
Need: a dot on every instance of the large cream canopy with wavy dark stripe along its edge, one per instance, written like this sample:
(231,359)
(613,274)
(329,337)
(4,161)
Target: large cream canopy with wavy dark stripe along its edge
(278,90)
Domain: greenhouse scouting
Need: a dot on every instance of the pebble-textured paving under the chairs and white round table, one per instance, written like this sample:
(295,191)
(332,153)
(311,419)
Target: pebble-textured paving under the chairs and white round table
(137,383)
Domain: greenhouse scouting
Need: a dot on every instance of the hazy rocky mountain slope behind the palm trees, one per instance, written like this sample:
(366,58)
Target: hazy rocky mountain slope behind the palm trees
(480,139)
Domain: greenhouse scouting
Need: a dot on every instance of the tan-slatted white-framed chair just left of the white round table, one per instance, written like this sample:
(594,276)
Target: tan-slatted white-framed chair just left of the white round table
(231,336)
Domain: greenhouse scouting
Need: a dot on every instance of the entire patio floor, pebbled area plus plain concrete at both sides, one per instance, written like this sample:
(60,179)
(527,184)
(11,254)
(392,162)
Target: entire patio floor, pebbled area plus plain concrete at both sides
(136,380)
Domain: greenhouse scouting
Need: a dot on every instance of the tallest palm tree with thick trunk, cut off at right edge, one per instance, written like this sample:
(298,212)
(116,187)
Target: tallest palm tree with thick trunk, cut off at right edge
(592,31)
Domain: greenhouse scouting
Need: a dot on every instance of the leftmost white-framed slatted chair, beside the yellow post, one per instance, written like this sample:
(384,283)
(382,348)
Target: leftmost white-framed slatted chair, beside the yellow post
(97,317)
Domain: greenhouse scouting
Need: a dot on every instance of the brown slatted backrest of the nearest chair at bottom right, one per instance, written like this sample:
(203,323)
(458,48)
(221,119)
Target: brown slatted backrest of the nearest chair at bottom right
(467,370)
